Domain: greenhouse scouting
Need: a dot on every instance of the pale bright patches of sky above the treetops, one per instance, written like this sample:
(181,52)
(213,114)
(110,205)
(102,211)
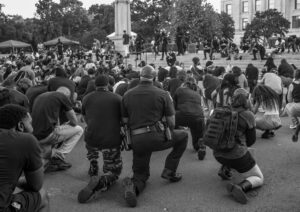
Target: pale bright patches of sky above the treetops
(26,8)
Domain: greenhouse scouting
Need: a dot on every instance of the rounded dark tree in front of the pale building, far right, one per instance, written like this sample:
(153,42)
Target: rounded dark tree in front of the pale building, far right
(266,24)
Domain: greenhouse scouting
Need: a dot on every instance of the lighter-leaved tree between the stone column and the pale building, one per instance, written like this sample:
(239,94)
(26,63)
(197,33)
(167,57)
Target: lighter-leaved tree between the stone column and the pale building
(199,18)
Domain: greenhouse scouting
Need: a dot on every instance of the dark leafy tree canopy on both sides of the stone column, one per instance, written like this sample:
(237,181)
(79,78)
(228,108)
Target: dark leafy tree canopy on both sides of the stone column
(69,18)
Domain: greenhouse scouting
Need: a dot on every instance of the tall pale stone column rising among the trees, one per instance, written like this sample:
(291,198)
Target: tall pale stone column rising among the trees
(122,22)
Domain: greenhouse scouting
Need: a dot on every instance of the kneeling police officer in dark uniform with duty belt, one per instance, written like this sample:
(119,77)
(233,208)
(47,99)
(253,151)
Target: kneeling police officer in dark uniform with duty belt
(149,114)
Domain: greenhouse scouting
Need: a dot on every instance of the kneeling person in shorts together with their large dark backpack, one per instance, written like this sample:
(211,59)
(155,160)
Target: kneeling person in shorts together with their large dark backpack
(230,131)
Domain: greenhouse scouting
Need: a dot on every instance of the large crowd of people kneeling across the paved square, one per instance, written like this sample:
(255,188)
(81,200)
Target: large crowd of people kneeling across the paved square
(39,123)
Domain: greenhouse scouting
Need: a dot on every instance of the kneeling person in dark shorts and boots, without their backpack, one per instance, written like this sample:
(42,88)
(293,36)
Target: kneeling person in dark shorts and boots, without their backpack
(239,158)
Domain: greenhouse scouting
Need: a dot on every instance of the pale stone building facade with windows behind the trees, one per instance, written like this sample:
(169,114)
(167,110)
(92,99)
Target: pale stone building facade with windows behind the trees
(243,11)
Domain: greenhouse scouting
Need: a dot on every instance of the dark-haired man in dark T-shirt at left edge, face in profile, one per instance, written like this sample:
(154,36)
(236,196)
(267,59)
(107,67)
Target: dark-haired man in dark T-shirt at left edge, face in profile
(20,153)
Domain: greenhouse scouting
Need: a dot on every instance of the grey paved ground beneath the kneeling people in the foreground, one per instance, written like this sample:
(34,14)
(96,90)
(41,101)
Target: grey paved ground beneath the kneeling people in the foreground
(200,190)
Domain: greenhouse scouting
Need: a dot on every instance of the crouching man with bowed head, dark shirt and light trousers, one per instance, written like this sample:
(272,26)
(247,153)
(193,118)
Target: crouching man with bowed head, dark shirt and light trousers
(57,140)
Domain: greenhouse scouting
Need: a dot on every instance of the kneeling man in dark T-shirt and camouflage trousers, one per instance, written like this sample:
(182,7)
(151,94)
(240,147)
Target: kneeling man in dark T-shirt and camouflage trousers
(102,112)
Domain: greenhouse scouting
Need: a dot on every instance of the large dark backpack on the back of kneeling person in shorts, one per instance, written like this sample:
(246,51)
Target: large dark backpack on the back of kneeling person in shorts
(221,129)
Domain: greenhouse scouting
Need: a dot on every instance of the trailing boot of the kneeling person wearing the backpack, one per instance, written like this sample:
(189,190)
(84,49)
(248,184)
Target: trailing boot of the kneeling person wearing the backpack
(238,191)
